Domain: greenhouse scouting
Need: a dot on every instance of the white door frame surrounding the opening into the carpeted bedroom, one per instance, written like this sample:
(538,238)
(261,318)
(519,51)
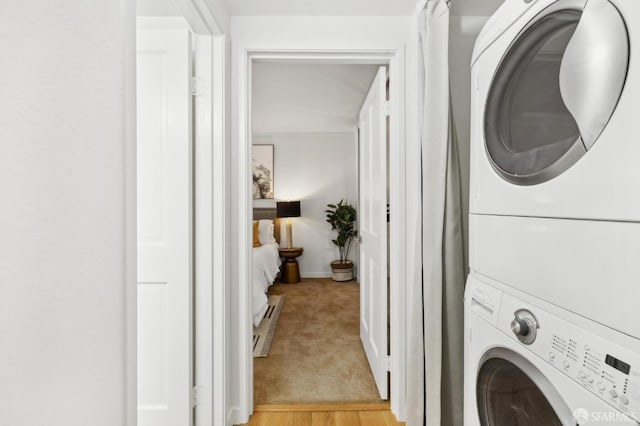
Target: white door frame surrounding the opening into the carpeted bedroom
(243,144)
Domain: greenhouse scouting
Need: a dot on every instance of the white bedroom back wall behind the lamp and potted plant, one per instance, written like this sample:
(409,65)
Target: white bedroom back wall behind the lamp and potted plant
(317,169)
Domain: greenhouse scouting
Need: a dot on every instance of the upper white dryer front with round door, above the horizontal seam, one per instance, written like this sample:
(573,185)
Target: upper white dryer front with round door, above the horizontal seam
(555,101)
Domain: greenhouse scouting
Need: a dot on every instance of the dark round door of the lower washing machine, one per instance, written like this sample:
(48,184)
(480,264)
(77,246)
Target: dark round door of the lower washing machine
(512,391)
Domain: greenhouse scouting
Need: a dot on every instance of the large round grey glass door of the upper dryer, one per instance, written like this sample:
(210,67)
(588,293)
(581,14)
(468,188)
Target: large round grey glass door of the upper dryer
(555,90)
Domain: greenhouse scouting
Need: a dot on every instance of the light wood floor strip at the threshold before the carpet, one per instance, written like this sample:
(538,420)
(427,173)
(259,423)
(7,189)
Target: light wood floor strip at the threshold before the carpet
(323,415)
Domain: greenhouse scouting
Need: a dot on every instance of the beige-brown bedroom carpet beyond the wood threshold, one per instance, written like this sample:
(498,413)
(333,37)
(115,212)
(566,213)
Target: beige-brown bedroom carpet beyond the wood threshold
(316,356)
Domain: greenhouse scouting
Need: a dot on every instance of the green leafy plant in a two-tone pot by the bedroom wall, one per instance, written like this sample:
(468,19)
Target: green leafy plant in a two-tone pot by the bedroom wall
(342,218)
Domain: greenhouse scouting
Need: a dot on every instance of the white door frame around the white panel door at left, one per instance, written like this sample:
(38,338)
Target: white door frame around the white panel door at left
(210,180)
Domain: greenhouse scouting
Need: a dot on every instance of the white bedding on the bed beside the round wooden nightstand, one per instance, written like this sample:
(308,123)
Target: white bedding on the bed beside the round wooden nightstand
(266,265)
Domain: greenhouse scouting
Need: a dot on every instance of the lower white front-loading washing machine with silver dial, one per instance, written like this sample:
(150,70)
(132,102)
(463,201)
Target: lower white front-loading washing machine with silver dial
(530,363)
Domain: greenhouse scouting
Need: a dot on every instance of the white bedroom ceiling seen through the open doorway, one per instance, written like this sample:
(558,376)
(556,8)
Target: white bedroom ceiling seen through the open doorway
(304,98)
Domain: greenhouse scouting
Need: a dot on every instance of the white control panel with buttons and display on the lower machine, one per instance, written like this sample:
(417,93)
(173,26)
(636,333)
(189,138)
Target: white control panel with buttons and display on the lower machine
(605,368)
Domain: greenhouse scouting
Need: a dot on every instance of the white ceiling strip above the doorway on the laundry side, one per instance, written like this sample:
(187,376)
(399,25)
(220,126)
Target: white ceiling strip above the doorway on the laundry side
(322,7)
